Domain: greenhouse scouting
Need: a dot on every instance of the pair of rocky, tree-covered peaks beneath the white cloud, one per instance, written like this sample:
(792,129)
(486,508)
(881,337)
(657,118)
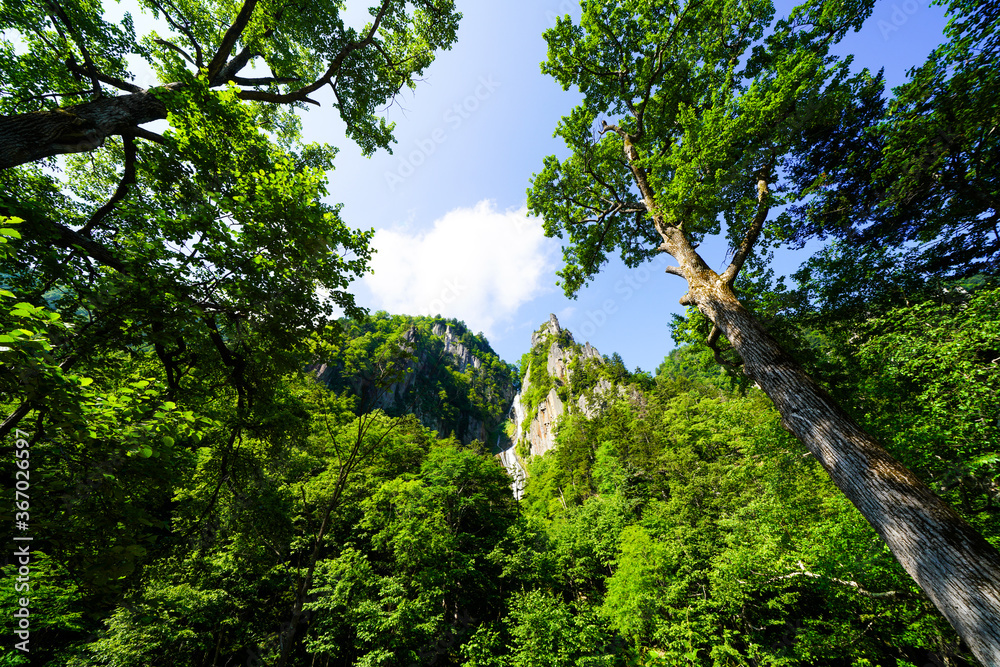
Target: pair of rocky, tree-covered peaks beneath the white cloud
(454,383)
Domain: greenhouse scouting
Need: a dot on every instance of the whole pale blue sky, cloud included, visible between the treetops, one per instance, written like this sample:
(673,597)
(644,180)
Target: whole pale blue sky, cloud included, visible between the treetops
(448,205)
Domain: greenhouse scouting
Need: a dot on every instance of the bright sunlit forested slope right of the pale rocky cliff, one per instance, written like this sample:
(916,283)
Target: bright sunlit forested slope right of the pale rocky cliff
(680,523)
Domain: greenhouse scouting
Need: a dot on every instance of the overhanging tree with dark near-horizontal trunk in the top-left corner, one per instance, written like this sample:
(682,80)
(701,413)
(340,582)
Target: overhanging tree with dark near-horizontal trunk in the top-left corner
(69,99)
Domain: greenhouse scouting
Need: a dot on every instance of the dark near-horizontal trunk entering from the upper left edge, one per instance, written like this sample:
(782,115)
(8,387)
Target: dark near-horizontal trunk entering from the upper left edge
(32,136)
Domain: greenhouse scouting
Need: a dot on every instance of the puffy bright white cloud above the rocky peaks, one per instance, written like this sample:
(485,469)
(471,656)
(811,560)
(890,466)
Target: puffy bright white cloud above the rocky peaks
(476,264)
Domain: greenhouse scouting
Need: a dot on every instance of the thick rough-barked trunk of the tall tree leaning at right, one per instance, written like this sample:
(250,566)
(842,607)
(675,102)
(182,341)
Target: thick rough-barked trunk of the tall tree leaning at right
(950,561)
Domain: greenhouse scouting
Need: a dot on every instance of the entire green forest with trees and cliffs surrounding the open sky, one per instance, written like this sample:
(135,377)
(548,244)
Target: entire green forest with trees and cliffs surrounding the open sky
(220,458)
